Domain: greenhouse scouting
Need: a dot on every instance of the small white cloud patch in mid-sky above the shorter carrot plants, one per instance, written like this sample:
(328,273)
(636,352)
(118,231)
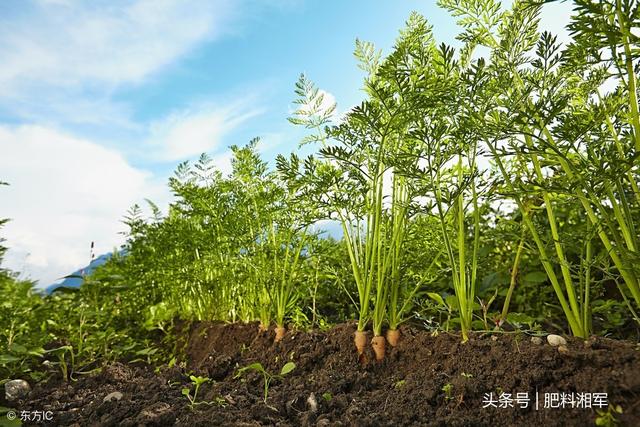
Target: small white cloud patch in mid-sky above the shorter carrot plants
(189,133)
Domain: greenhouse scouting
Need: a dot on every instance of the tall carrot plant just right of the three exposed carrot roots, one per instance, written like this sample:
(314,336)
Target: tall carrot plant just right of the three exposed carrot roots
(441,99)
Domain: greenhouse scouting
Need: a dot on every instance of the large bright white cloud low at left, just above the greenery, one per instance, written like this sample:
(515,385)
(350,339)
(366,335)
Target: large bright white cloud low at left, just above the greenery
(64,192)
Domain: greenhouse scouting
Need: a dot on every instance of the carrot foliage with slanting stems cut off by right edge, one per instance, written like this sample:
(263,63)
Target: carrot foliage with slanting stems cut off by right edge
(600,152)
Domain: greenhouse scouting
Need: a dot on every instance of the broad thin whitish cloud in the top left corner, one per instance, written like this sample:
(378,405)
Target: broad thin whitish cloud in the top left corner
(109,42)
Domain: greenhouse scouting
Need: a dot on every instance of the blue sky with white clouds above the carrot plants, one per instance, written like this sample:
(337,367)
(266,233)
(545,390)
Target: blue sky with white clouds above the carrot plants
(100,100)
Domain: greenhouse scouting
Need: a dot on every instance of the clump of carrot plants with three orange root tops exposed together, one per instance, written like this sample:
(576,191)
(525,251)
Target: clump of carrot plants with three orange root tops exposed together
(354,181)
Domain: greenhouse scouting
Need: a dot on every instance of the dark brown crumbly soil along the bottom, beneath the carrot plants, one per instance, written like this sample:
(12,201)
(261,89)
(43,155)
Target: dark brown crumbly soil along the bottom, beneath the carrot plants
(425,381)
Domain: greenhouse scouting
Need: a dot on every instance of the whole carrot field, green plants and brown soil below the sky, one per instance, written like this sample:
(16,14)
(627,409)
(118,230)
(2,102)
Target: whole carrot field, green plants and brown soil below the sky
(462,247)
